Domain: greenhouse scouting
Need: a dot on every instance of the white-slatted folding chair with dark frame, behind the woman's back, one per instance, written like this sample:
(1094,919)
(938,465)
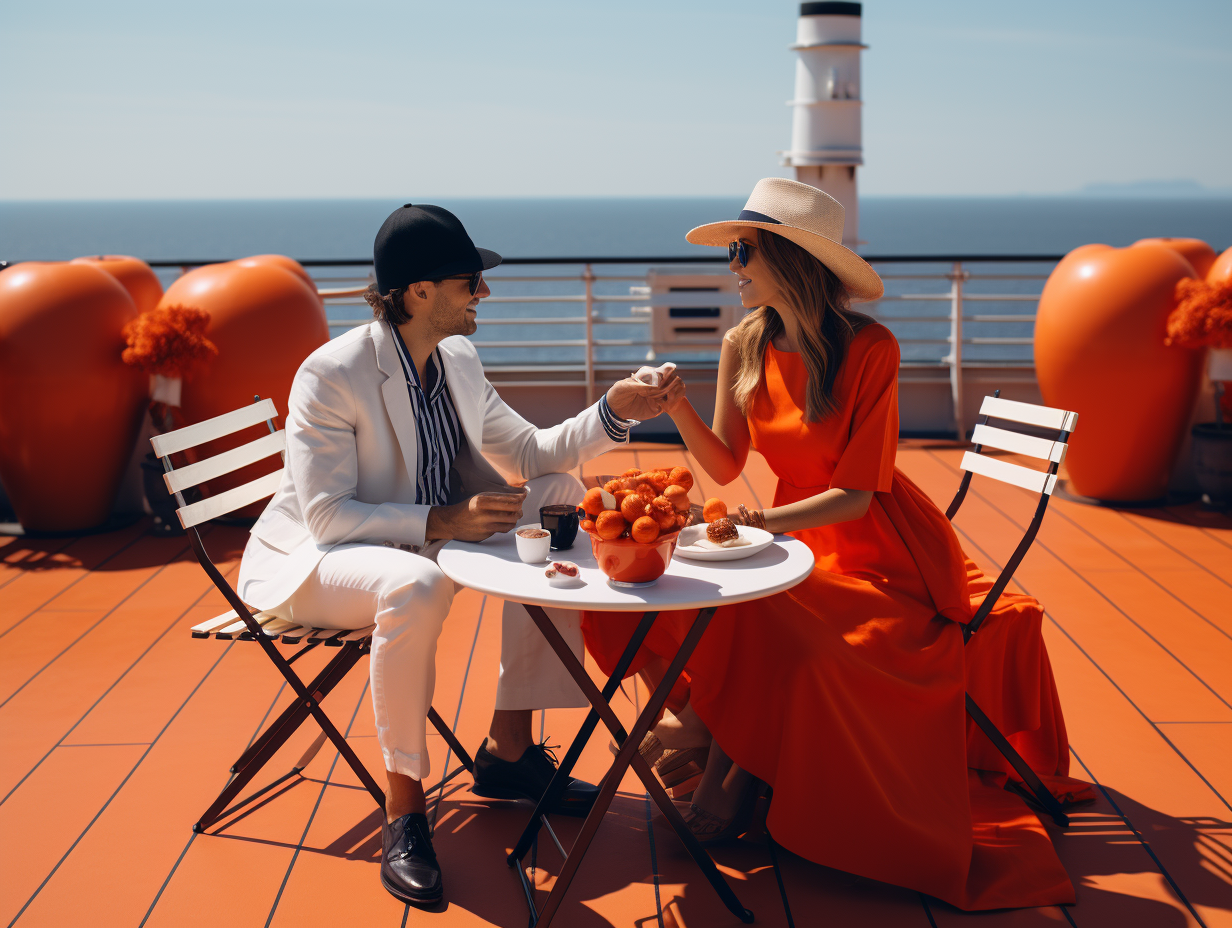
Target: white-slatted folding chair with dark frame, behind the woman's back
(1045,436)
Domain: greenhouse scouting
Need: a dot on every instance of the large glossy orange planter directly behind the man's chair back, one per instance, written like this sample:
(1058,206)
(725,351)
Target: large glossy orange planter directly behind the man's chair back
(265,321)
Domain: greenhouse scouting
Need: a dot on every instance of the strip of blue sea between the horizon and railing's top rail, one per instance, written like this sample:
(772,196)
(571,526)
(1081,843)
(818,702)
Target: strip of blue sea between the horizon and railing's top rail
(583,227)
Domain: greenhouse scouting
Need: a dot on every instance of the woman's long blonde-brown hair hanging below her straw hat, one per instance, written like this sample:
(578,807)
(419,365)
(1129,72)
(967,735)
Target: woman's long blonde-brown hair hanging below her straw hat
(827,325)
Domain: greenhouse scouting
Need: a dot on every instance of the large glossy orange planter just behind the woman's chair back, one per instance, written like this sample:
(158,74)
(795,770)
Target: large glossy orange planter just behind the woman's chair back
(1100,352)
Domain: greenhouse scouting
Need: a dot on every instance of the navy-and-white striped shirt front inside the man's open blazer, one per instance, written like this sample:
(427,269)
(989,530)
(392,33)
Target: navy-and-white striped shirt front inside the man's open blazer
(437,426)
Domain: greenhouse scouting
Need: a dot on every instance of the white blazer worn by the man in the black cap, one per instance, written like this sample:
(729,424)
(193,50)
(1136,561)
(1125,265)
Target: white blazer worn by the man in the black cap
(352,455)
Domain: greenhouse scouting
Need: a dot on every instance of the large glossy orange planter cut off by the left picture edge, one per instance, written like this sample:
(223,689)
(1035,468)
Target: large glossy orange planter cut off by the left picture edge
(70,409)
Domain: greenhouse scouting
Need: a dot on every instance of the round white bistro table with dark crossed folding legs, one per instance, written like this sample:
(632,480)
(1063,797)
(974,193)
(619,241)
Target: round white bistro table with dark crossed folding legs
(493,568)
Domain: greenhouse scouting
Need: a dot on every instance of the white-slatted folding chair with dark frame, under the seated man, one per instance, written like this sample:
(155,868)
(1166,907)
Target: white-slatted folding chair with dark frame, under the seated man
(241,624)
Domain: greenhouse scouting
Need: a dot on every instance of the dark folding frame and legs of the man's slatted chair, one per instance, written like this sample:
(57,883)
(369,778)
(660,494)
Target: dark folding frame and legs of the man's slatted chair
(307,702)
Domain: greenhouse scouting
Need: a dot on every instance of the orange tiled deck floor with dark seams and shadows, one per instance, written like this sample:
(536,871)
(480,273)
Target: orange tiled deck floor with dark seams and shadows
(118,730)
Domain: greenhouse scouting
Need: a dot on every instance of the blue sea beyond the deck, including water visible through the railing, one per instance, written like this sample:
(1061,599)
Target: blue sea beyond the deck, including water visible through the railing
(333,230)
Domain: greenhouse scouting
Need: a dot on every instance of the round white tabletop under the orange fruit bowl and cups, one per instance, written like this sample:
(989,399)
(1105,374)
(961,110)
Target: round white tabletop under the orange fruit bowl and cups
(493,568)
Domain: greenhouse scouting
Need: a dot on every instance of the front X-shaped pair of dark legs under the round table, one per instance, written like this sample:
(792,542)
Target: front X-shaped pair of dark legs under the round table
(626,757)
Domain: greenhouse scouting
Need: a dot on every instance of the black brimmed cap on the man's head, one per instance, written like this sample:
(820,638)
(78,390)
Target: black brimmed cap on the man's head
(426,243)
